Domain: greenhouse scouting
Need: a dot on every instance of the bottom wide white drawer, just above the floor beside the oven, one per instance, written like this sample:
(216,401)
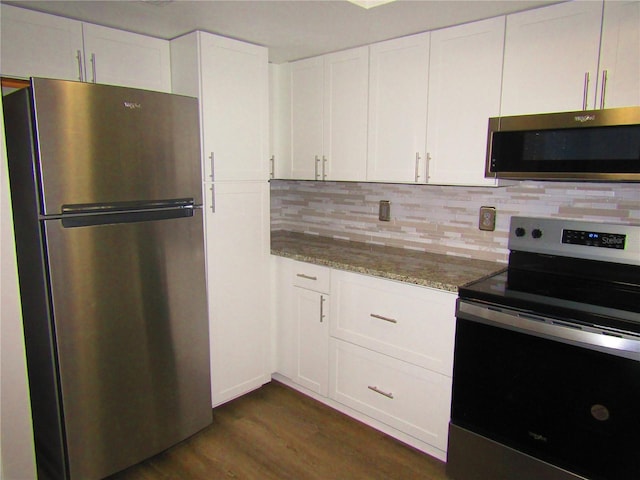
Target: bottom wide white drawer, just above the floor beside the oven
(401,395)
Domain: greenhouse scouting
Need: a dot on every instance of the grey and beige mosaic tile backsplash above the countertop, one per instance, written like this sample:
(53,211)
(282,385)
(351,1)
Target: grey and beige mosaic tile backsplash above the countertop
(441,219)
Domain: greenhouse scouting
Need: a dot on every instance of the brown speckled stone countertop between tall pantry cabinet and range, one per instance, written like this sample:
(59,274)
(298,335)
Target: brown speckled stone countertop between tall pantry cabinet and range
(444,272)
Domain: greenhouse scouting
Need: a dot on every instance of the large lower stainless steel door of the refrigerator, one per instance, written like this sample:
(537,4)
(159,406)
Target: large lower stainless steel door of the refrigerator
(131,333)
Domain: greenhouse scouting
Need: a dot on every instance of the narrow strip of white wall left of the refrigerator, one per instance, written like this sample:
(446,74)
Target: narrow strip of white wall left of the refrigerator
(17,459)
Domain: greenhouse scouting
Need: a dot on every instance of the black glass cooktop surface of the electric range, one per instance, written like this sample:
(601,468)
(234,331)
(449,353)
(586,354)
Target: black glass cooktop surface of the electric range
(590,293)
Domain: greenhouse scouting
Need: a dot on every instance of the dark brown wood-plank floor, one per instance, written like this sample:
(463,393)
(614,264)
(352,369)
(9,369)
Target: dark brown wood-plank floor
(278,433)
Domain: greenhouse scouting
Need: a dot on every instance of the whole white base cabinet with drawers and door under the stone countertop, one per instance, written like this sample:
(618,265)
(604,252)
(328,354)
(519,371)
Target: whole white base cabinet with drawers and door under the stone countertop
(377,349)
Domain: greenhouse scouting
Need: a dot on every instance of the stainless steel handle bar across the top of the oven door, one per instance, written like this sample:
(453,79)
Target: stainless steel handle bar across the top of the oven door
(551,329)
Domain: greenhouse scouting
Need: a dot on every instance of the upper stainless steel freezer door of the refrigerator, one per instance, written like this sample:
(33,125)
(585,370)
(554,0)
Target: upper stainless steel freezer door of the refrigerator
(99,144)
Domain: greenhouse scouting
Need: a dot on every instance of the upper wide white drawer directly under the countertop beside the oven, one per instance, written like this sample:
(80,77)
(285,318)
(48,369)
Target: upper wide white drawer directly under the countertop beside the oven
(410,323)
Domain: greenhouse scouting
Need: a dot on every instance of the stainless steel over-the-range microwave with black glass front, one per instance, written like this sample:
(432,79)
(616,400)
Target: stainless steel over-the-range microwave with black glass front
(599,145)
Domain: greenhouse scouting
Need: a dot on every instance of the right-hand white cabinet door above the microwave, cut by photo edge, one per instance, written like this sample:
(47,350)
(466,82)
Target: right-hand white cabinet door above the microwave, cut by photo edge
(620,55)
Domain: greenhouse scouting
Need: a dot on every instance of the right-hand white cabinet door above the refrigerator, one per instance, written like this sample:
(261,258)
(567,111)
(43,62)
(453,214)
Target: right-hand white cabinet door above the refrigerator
(115,57)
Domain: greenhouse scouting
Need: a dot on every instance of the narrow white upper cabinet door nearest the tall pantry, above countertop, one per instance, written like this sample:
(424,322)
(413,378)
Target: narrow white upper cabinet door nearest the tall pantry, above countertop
(306,119)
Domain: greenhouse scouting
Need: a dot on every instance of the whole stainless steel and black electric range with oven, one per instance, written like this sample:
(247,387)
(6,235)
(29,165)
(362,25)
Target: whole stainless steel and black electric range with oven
(546,379)
